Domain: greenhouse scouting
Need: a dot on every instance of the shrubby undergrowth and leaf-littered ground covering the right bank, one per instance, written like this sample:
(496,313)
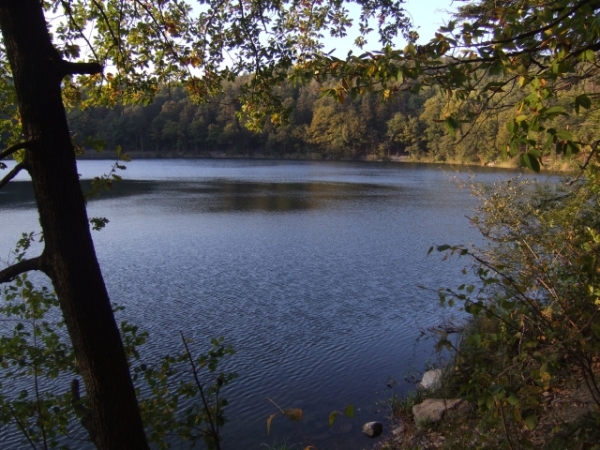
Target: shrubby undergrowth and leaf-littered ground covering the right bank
(532,335)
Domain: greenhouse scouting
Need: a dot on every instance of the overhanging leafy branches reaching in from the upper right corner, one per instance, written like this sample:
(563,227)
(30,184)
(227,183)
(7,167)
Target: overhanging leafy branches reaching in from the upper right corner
(543,52)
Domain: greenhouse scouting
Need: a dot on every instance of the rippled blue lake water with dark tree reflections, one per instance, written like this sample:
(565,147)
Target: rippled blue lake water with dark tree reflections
(310,269)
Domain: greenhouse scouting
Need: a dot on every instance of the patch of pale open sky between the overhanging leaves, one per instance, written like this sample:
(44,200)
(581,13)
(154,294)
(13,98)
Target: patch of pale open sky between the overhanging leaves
(427,16)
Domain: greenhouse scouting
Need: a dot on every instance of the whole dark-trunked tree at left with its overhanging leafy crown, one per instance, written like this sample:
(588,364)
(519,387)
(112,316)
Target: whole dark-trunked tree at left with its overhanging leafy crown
(144,43)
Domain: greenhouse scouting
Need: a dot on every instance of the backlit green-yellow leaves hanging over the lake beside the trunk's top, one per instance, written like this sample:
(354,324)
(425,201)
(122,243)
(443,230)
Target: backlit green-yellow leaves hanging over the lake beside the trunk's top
(143,45)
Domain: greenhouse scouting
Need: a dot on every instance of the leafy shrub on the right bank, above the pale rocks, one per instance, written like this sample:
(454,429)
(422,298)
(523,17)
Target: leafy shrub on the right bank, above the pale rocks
(536,303)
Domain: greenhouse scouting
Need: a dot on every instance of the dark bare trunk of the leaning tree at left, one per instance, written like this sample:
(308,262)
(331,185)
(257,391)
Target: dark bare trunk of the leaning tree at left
(69,258)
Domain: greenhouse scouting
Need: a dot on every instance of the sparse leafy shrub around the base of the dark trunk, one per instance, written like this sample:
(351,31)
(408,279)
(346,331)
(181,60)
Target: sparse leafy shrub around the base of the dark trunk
(39,388)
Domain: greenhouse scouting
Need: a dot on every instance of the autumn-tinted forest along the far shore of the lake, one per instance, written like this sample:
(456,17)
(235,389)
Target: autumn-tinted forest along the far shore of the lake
(406,125)
